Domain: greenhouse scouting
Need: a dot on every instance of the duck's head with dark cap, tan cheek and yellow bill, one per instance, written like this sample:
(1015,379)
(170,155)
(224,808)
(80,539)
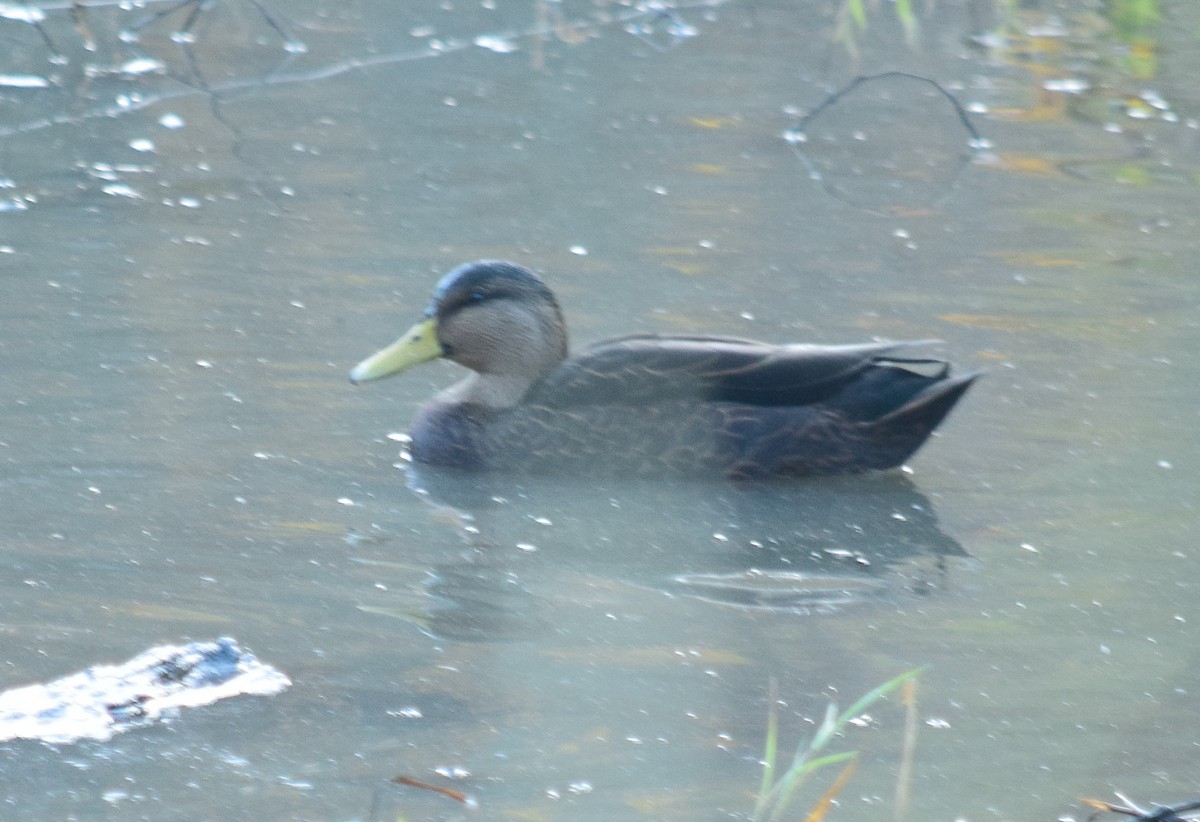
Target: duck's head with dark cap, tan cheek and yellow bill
(494,317)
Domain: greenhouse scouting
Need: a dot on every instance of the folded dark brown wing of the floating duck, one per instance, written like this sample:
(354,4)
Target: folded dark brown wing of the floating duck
(646,369)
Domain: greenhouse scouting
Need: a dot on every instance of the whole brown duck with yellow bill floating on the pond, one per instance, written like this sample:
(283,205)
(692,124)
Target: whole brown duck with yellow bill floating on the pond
(652,404)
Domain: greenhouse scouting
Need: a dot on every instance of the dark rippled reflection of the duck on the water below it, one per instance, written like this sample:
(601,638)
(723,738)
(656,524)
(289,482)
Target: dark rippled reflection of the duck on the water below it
(520,550)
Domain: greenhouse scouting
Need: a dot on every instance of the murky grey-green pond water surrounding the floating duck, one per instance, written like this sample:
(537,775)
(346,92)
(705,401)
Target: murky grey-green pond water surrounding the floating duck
(187,279)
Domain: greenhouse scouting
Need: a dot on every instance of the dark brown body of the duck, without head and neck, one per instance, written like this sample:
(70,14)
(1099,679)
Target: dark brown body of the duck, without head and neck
(649,405)
